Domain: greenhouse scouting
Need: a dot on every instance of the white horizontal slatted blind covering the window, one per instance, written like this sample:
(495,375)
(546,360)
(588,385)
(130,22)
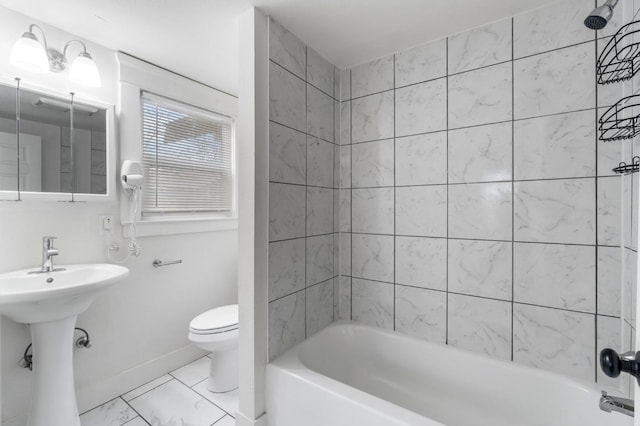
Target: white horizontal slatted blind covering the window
(187,158)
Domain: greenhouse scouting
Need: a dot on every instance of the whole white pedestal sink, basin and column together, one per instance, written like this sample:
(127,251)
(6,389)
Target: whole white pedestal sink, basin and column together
(50,302)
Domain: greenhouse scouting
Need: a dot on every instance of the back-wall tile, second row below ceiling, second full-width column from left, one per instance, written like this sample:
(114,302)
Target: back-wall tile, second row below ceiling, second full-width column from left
(421,108)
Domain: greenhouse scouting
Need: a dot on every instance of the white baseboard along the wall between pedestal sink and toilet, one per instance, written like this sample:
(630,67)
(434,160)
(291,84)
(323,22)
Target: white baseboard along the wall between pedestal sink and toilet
(98,393)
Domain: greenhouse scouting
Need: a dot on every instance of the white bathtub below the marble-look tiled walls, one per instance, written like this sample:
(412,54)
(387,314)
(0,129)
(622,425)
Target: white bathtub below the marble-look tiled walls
(354,375)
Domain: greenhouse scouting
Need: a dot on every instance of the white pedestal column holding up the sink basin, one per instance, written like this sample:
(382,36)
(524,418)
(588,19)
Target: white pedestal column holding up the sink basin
(53,401)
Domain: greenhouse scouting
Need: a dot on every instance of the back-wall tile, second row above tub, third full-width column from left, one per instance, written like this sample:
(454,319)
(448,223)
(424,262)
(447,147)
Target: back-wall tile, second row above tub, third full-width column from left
(480,268)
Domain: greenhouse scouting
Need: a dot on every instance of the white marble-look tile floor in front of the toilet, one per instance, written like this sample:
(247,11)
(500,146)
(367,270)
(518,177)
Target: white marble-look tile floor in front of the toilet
(179,398)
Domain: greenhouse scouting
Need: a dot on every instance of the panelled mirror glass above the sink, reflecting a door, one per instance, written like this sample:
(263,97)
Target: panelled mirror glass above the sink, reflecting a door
(58,153)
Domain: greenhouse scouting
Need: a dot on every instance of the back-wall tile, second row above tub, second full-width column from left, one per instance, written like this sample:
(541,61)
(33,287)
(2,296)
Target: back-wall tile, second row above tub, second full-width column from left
(421,262)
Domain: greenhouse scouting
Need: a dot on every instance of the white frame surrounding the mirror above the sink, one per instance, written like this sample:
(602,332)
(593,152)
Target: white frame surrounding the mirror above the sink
(110,130)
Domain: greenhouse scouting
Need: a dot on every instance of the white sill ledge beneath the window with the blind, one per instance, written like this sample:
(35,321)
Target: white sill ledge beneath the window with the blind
(177,226)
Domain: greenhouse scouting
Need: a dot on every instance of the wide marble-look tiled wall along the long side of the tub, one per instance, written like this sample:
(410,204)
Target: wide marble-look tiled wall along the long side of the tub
(477,207)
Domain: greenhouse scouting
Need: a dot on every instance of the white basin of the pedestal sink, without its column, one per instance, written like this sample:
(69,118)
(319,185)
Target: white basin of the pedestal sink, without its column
(33,298)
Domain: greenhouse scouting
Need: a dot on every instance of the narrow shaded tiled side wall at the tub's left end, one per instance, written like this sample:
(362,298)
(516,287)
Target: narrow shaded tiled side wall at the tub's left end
(303,234)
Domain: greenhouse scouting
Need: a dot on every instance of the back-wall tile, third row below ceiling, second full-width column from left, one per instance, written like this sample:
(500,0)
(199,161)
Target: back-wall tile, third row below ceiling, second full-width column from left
(421,159)
